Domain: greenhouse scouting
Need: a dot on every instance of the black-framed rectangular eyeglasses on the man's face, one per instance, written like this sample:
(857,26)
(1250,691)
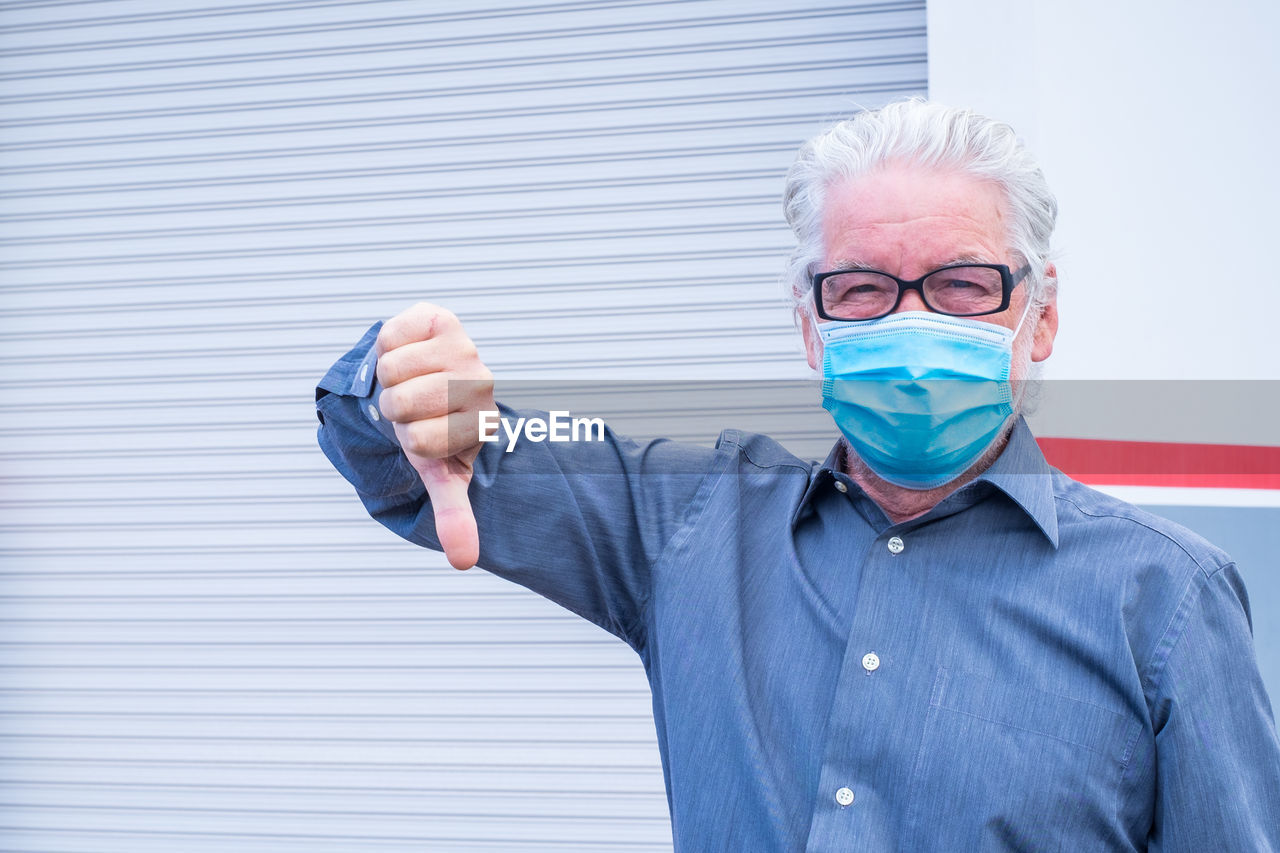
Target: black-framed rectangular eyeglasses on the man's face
(959,290)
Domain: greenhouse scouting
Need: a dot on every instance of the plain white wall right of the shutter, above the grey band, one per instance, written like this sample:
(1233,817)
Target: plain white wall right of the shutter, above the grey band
(1156,127)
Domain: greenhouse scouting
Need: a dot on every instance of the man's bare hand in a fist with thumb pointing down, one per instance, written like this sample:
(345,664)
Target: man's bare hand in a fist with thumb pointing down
(435,386)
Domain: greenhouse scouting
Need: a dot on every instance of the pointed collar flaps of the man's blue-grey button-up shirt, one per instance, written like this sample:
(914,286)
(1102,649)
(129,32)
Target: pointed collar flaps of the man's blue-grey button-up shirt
(1020,472)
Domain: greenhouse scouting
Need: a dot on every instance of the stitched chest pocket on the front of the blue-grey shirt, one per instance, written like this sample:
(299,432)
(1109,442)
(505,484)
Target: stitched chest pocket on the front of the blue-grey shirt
(1004,767)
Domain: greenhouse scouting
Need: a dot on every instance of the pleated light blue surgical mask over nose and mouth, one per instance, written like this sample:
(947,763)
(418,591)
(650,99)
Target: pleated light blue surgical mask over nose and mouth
(920,396)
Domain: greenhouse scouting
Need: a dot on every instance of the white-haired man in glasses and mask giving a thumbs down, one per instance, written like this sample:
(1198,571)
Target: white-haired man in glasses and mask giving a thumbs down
(931,641)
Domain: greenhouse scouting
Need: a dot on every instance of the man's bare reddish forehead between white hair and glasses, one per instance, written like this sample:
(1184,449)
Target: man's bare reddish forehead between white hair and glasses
(906,220)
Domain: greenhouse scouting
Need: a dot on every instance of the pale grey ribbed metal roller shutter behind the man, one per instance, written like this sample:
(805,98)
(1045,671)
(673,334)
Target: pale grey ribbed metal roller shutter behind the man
(207,646)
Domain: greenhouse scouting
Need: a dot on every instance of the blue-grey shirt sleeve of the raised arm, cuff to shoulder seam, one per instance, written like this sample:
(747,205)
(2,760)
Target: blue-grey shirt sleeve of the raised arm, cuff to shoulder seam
(579,522)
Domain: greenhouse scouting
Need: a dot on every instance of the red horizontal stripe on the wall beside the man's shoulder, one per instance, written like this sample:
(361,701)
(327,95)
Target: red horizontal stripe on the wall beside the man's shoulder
(1109,463)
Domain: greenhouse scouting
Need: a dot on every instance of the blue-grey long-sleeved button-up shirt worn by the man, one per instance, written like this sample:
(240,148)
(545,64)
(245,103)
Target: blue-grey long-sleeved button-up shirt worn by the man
(1031,665)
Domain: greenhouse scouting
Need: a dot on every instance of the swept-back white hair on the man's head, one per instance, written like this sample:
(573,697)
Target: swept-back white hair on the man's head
(926,135)
